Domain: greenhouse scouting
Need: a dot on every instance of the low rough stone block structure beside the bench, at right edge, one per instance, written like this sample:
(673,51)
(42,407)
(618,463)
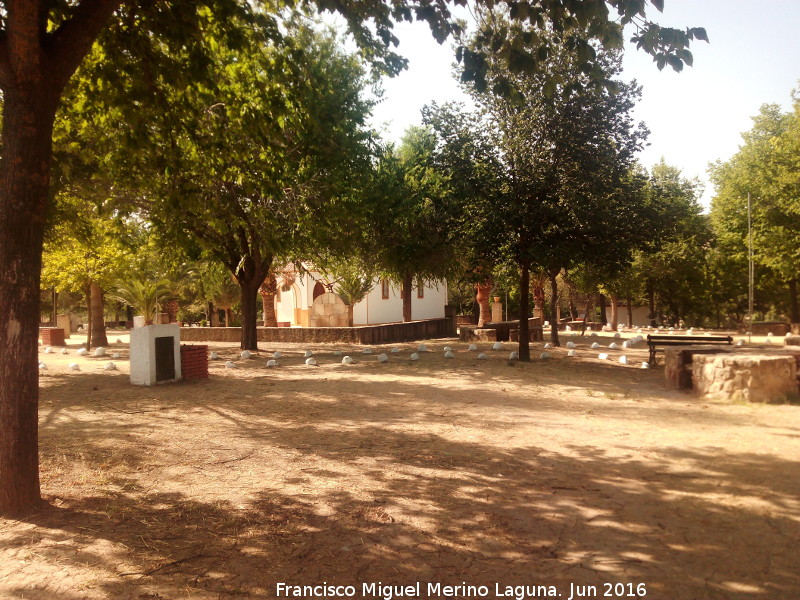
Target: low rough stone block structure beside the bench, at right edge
(752,378)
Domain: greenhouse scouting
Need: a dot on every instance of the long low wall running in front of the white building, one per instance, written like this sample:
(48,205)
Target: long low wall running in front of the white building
(368,334)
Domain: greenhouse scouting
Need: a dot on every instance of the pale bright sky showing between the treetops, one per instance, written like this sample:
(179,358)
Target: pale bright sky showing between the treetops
(695,117)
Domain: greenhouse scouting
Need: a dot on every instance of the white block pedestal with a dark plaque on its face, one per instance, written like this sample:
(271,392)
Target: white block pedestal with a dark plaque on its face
(155,354)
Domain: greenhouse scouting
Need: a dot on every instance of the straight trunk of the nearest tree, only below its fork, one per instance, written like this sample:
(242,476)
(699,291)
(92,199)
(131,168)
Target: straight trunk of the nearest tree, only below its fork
(24,189)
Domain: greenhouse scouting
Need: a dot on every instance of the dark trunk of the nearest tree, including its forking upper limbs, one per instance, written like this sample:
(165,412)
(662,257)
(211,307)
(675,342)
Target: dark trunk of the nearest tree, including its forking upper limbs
(35,65)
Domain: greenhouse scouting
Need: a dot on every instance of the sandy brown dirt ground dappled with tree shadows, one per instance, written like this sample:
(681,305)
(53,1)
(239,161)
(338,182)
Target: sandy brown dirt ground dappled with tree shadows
(566,472)
